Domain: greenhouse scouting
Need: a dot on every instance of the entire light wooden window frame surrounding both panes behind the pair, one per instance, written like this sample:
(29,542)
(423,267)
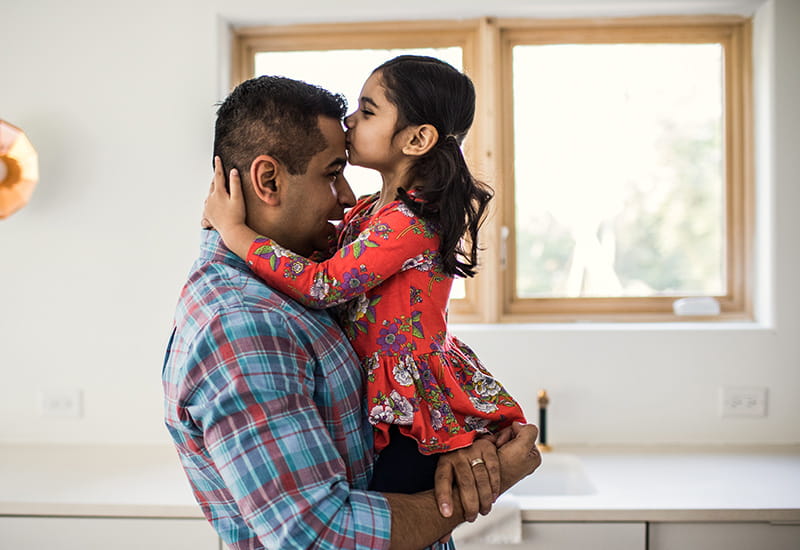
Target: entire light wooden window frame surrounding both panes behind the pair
(487,45)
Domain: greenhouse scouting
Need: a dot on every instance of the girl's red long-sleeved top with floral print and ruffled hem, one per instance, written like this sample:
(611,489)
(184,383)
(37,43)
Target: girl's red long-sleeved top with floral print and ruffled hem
(388,276)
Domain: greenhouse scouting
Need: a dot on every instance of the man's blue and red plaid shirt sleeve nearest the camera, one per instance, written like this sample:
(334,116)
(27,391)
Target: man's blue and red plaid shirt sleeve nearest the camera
(264,434)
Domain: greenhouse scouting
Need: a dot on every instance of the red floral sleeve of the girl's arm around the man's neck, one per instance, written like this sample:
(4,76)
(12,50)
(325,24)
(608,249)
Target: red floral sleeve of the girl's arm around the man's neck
(395,240)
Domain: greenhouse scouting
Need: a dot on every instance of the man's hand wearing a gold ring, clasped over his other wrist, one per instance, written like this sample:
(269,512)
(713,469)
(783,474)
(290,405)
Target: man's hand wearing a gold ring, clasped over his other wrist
(476,472)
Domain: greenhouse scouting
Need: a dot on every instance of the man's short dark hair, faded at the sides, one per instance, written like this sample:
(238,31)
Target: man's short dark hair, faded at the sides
(277,116)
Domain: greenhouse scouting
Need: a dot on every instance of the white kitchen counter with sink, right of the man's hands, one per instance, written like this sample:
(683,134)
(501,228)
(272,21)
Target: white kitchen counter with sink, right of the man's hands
(677,484)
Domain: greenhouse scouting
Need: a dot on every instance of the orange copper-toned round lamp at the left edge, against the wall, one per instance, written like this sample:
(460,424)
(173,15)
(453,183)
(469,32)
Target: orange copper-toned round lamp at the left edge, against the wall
(19,169)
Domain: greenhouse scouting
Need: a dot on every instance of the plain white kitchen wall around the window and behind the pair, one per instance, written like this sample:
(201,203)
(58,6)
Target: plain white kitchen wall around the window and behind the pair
(118,98)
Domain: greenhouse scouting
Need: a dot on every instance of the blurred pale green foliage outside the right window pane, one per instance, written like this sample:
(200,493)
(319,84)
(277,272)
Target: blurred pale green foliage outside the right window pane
(668,238)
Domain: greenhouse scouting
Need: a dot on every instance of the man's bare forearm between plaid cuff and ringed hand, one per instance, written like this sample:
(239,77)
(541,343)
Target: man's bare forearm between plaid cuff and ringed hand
(416,521)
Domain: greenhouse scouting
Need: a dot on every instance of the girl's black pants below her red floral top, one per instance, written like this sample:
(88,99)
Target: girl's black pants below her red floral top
(401,468)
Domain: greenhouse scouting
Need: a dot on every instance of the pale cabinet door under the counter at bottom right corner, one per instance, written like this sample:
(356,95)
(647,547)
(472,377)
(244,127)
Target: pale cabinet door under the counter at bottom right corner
(723,536)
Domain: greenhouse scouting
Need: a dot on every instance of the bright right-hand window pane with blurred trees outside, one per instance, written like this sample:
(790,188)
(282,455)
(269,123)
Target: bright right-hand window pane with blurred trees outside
(619,182)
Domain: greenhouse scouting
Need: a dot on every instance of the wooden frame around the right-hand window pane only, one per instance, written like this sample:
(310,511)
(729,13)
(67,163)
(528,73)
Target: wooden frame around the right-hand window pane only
(733,34)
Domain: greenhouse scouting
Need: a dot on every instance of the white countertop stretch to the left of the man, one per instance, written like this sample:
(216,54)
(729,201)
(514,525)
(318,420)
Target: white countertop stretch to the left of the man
(113,481)
